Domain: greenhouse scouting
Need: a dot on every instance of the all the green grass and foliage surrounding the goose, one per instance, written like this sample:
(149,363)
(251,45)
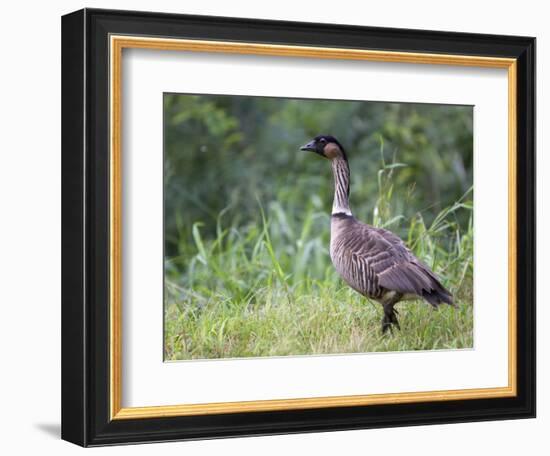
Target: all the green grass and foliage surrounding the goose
(247,269)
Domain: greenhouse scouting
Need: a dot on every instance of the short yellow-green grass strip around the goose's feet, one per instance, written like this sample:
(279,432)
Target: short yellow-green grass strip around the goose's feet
(332,321)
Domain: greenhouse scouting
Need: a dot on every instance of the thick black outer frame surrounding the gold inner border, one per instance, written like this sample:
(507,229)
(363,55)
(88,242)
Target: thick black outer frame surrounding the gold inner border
(85,227)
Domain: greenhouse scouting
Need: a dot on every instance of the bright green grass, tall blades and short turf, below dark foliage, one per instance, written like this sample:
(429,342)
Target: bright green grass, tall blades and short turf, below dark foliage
(267,287)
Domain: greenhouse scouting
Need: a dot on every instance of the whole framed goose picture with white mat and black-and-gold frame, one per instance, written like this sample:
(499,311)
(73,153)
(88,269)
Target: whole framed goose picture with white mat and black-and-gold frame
(279,227)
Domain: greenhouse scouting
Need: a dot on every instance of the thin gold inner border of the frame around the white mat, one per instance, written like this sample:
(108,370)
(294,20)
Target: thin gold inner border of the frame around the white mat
(117,44)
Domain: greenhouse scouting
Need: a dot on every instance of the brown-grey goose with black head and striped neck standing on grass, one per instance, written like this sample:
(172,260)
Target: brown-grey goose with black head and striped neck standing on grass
(373,261)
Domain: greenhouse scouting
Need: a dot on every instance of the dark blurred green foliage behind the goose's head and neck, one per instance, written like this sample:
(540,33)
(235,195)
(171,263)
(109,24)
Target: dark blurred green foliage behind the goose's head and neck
(228,152)
